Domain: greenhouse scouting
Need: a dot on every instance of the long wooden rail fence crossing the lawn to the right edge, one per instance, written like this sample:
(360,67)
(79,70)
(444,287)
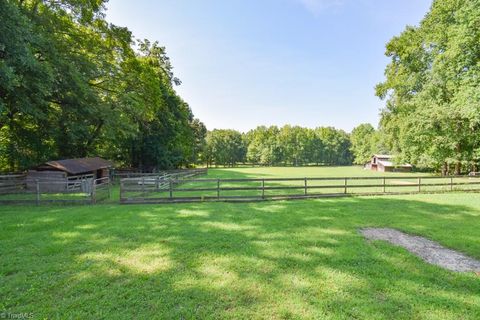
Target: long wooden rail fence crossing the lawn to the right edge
(139,190)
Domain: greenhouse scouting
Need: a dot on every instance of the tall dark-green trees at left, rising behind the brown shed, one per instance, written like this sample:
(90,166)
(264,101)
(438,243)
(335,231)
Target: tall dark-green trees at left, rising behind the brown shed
(74,85)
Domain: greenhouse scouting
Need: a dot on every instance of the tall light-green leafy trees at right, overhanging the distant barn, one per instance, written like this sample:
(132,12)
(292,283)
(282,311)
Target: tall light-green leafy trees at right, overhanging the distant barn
(432,88)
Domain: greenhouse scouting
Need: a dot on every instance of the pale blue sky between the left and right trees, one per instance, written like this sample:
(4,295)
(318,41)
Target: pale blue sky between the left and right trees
(245,63)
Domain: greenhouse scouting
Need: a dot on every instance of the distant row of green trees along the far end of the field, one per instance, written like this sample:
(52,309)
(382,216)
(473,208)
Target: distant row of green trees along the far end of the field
(288,145)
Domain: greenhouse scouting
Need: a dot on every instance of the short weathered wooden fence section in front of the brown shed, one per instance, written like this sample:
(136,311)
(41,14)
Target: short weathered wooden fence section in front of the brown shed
(85,189)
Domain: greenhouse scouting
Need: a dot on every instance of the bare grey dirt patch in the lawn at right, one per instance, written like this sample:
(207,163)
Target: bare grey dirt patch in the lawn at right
(428,250)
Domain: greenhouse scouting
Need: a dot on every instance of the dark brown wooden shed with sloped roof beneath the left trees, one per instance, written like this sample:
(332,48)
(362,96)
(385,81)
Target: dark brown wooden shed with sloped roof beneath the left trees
(69,171)
